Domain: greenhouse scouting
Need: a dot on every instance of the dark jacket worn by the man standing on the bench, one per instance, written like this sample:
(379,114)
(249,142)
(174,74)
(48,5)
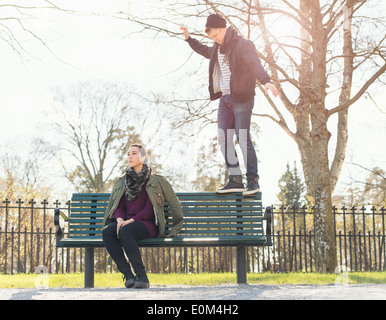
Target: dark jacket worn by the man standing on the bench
(244,65)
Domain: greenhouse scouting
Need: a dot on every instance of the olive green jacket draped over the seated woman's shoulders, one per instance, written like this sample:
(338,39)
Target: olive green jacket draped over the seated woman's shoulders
(158,190)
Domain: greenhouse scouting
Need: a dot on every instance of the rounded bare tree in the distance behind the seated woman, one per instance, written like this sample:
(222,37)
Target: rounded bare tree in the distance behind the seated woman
(97,122)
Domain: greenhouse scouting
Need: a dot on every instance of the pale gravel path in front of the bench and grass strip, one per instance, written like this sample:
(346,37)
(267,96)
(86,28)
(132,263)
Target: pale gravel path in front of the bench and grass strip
(219,292)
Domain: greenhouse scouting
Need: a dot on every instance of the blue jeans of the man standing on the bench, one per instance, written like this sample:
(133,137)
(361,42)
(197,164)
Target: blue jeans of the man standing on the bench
(235,117)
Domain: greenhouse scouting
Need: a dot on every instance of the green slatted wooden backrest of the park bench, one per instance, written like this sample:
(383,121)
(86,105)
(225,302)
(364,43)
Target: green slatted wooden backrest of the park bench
(205,215)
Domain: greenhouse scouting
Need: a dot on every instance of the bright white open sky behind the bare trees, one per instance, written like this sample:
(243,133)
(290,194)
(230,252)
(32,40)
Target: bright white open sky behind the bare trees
(99,47)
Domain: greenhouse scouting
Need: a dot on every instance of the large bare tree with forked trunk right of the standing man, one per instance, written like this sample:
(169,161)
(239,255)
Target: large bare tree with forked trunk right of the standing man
(332,55)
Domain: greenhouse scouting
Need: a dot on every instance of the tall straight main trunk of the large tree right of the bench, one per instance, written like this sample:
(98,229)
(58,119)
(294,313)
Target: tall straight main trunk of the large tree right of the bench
(326,256)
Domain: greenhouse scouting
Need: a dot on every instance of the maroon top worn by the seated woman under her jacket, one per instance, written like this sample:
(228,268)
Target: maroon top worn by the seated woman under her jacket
(140,209)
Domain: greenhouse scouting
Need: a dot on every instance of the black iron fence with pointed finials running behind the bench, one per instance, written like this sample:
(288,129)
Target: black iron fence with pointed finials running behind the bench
(27,240)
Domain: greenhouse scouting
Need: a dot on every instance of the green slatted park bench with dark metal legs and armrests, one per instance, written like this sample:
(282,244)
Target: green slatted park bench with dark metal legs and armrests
(210,220)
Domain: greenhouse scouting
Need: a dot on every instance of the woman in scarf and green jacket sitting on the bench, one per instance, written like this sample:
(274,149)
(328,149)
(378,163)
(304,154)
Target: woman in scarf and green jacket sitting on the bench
(135,211)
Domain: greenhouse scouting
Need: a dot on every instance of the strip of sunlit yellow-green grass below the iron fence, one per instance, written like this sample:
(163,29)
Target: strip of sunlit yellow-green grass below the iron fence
(112,280)
